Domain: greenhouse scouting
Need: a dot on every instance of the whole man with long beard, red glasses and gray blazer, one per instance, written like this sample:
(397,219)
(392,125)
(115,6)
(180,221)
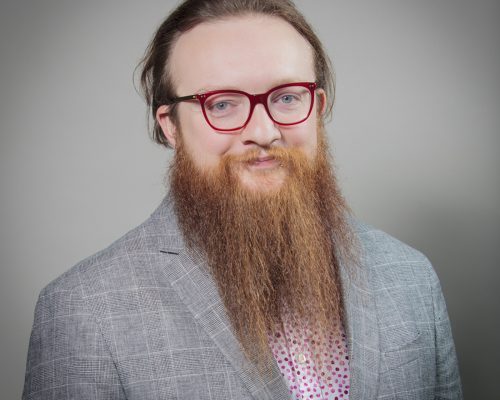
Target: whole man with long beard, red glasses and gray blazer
(250,281)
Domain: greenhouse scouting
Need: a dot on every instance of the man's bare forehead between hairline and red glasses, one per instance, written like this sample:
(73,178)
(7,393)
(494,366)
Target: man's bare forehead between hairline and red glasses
(251,53)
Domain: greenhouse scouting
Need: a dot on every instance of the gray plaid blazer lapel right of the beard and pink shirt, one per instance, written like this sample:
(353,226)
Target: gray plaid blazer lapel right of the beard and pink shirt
(362,333)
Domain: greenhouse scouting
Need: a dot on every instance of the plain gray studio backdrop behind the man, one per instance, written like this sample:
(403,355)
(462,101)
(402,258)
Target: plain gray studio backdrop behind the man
(415,136)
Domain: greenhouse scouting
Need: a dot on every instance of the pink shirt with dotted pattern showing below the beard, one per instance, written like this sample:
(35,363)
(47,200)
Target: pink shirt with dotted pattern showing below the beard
(305,378)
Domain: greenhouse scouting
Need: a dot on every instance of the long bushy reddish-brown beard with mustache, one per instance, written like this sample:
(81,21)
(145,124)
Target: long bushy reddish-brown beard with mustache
(270,252)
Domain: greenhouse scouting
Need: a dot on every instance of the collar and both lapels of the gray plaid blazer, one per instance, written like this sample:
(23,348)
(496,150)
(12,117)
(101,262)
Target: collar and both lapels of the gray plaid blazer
(189,276)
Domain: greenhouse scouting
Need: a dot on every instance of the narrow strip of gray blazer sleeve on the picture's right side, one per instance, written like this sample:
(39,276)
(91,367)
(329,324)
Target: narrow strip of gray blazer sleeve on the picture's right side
(448,384)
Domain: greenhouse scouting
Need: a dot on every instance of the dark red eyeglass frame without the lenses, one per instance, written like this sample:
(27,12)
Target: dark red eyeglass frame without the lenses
(254,99)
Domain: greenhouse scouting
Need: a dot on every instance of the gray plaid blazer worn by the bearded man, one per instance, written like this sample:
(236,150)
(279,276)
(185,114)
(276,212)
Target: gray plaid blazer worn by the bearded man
(142,320)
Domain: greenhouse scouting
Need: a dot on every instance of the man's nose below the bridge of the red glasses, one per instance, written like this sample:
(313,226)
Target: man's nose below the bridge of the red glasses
(260,130)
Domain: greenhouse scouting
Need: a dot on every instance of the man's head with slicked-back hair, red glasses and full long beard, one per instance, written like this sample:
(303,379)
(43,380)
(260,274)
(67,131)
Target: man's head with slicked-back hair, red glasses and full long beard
(251,180)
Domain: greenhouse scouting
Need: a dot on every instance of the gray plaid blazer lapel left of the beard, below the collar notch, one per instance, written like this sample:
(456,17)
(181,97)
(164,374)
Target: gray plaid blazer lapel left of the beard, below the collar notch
(193,283)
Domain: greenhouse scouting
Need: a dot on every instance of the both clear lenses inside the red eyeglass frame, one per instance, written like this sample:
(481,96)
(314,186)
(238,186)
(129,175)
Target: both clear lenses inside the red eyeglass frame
(286,105)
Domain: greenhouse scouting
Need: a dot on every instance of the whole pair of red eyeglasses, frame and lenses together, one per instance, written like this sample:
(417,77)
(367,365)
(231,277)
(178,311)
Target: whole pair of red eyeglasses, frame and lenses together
(230,110)
